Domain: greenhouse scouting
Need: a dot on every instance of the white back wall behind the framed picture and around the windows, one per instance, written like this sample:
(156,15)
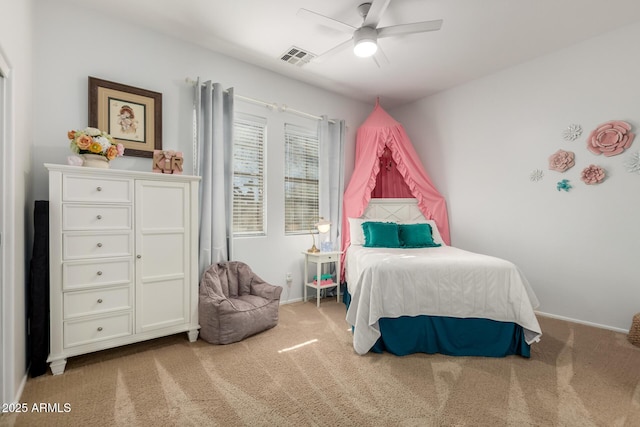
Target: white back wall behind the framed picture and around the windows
(97,46)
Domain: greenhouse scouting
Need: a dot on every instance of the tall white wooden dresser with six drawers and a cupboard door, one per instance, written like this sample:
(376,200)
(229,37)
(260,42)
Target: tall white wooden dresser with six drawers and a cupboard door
(123,258)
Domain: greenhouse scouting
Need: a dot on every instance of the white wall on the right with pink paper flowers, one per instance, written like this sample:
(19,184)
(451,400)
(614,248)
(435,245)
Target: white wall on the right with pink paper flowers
(480,142)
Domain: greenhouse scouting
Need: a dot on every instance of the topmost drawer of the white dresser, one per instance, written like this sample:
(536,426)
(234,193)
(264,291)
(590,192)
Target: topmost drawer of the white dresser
(80,188)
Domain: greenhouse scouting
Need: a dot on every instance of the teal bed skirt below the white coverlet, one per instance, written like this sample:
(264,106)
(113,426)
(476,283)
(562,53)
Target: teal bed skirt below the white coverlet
(449,335)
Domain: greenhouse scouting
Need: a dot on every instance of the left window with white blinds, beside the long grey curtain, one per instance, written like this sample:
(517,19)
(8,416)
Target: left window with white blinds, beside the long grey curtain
(248,175)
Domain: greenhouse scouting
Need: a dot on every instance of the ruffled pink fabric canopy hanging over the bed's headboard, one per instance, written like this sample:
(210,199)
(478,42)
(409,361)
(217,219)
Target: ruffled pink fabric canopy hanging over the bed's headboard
(379,136)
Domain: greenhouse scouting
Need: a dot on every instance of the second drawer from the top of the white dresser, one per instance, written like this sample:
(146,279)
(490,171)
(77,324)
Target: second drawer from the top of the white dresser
(96,217)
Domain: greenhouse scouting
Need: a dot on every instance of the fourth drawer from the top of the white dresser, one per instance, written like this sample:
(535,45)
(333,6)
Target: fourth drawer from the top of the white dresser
(97,273)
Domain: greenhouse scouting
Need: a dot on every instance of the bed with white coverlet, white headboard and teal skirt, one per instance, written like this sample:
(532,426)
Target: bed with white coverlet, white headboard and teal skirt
(433,299)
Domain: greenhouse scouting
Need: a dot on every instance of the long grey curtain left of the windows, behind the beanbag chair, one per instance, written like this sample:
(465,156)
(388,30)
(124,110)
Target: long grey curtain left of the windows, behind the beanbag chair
(214,163)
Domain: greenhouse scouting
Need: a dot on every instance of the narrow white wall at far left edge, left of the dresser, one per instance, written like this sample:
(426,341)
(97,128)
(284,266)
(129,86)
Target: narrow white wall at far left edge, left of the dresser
(15,43)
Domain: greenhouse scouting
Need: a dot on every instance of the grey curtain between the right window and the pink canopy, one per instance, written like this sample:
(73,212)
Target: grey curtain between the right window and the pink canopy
(331,174)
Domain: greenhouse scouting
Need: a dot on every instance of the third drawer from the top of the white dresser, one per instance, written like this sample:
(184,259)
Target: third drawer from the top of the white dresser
(89,245)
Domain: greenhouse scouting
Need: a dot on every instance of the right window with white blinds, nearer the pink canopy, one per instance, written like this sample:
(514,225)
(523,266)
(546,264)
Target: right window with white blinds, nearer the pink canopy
(301,178)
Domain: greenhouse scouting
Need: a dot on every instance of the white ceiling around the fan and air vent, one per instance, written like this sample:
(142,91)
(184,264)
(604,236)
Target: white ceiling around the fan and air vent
(478,37)
